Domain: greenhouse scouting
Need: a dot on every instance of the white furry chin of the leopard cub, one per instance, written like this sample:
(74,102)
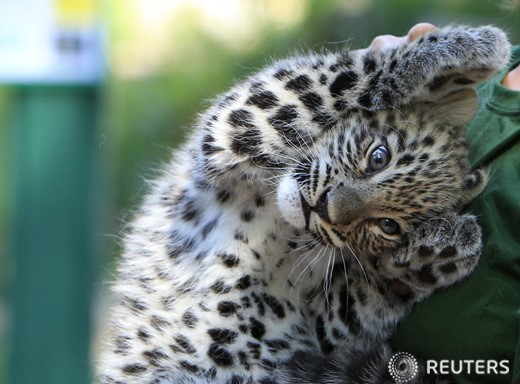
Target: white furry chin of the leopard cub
(289,202)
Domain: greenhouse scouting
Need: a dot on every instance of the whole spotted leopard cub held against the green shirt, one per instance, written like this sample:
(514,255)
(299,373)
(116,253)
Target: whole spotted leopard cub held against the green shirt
(282,229)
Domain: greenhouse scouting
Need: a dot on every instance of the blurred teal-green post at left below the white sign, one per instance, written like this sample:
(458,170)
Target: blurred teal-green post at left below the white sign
(52,235)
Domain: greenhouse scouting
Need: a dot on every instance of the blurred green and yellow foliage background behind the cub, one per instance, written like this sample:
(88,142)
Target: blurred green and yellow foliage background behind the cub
(166,60)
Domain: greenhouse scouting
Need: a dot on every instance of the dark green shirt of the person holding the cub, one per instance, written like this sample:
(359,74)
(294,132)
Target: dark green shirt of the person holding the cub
(479,319)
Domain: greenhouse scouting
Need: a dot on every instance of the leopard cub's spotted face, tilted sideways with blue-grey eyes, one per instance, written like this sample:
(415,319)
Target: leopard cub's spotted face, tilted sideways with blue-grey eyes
(366,182)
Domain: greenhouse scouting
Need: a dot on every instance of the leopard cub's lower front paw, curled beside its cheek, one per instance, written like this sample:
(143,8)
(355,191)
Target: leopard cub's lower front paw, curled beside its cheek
(440,252)
